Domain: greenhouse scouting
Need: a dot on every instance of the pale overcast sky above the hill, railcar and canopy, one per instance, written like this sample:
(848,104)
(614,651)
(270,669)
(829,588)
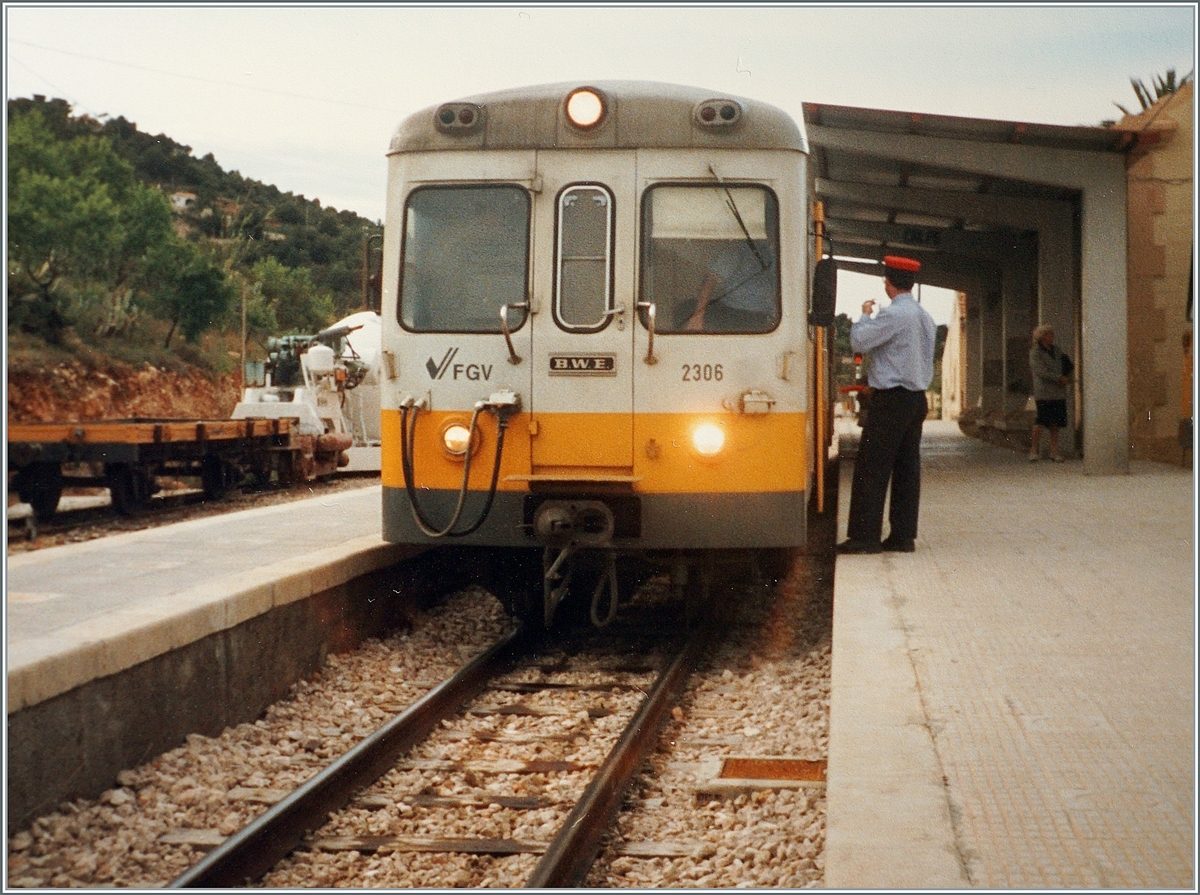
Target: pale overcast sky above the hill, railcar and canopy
(307,98)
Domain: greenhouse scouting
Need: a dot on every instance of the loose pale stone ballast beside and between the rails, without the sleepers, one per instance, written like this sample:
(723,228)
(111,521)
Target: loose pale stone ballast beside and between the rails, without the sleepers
(765,692)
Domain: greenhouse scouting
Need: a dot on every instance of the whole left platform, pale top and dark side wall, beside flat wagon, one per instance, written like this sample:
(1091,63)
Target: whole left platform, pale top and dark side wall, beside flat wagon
(118,648)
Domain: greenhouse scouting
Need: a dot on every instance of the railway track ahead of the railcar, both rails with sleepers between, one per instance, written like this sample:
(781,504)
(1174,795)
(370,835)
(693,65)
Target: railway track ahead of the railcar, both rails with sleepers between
(405,762)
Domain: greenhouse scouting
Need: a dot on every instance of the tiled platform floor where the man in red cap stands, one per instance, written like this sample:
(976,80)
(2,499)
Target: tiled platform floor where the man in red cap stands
(1015,704)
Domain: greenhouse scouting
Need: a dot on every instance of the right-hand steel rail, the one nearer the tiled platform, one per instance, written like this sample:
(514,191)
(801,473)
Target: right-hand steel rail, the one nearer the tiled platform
(571,856)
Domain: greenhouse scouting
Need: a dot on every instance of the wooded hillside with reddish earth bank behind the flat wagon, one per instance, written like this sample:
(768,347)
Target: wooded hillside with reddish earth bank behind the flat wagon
(134,265)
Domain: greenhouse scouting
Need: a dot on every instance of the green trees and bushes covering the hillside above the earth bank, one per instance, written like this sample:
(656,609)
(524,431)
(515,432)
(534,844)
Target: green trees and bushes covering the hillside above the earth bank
(94,244)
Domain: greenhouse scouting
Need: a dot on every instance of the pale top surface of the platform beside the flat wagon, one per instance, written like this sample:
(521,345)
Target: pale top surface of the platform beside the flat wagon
(82,611)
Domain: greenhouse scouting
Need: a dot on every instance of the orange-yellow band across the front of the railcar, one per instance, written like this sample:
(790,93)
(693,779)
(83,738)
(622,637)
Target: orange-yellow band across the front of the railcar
(645,453)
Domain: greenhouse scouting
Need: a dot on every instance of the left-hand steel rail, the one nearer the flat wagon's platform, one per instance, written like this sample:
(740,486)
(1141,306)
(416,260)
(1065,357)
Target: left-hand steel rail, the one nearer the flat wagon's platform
(271,838)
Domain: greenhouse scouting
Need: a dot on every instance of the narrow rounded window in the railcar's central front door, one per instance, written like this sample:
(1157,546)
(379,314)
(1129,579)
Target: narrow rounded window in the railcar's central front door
(584,253)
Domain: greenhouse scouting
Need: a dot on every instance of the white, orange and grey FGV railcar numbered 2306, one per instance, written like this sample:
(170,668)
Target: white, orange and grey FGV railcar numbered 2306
(597,337)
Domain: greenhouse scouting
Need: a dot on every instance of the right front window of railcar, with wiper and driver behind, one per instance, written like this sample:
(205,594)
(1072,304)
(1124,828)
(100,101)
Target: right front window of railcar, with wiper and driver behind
(711,259)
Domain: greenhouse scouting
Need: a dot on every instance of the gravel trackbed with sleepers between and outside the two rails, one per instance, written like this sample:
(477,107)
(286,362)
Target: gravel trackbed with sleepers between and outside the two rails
(485,777)
